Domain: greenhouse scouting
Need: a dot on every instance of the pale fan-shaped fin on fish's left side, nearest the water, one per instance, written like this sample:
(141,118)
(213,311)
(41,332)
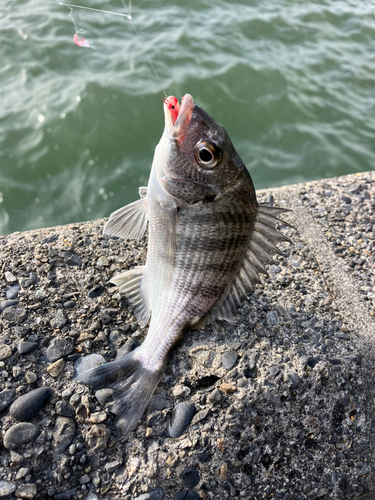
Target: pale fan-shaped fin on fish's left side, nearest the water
(129,222)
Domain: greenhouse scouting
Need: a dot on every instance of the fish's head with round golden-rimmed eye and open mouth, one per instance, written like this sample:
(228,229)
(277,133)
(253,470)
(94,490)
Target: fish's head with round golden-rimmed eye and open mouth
(201,162)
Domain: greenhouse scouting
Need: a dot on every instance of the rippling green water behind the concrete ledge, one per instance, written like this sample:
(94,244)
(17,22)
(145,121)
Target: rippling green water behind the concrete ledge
(292,81)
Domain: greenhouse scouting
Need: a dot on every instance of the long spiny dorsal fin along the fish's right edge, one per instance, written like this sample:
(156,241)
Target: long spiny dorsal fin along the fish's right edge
(261,247)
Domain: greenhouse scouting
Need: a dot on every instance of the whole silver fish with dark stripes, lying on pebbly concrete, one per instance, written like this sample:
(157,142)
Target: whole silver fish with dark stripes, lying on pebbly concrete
(208,242)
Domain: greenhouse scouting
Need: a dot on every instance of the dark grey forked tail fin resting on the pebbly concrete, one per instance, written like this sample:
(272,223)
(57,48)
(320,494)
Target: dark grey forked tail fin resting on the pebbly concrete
(133,387)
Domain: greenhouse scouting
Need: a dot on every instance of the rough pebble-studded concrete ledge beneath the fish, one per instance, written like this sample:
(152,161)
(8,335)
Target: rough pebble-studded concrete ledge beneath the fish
(288,413)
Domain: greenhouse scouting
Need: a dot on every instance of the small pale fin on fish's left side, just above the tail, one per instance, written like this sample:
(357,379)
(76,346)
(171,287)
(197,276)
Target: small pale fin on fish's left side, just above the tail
(131,285)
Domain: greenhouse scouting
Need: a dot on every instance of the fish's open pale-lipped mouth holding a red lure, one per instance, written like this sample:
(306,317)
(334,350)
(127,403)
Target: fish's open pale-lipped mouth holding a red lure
(177,118)
